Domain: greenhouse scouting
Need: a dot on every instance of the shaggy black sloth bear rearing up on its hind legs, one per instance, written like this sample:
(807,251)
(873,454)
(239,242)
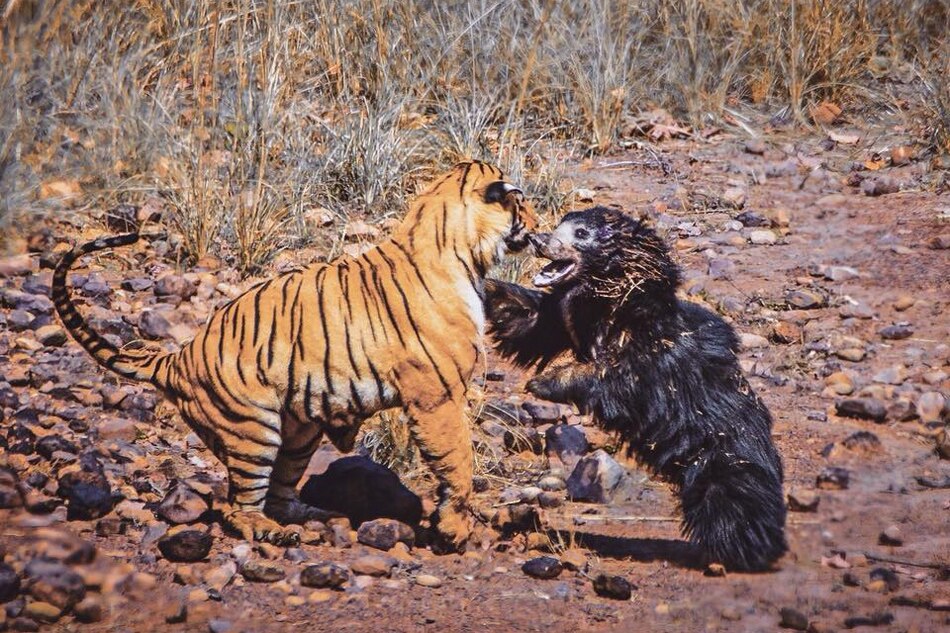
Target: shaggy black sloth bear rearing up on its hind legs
(660,372)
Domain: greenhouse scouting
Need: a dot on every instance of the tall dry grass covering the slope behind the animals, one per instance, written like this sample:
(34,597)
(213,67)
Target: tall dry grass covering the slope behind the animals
(244,113)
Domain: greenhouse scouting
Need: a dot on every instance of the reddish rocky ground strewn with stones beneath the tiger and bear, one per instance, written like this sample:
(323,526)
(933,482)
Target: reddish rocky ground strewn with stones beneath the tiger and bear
(829,256)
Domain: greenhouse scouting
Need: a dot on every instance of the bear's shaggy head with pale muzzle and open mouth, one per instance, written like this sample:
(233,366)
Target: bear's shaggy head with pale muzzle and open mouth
(603,252)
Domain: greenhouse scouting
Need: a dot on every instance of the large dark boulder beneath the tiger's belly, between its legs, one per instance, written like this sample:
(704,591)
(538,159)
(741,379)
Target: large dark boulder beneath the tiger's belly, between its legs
(362,490)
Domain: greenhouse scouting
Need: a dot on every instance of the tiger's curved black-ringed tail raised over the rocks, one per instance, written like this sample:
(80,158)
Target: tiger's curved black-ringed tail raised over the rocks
(140,364)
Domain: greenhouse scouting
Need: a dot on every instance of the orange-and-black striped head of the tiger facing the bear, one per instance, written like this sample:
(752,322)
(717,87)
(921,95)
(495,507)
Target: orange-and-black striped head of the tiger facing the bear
(473,208)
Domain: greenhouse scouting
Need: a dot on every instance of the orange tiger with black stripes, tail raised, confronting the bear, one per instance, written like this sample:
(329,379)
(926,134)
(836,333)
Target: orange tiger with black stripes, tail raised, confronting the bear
(316,351)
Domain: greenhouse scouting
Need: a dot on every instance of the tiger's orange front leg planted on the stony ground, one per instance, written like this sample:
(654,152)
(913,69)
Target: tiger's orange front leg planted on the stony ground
(440,428)
